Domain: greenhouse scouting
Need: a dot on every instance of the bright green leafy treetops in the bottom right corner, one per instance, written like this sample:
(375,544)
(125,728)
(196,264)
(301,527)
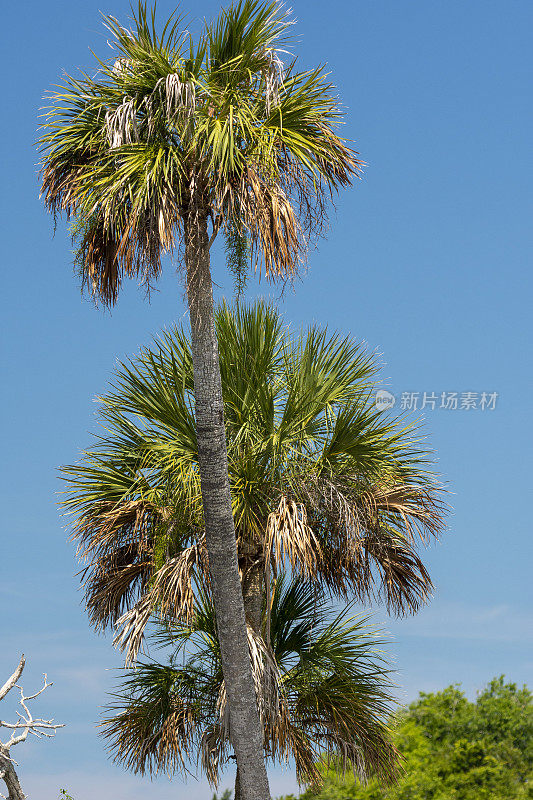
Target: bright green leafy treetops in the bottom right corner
(454,749)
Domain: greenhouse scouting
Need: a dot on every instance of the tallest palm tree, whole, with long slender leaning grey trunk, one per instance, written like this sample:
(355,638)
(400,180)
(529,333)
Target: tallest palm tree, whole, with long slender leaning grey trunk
(172,137)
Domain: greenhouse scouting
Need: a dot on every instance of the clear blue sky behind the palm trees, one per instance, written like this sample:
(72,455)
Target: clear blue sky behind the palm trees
(428,259)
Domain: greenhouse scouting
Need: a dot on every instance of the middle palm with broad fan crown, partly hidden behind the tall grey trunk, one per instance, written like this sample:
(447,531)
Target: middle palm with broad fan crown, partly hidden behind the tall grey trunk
(322,482)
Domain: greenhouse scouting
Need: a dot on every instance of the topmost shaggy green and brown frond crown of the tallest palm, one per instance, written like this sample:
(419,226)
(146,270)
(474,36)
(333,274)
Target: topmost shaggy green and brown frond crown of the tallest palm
(222,128)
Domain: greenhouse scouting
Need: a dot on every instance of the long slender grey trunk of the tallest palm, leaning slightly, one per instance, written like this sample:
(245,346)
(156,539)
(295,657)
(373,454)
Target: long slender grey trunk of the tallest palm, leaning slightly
(245,728)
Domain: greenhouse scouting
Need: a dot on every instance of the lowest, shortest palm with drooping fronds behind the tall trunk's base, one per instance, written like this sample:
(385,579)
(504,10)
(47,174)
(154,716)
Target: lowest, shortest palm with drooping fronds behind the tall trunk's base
(324,691)
